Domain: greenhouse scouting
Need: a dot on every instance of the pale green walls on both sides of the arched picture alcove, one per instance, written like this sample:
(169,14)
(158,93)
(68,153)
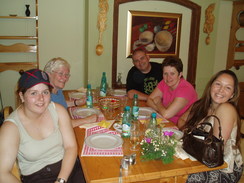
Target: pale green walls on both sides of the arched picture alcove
(68,29)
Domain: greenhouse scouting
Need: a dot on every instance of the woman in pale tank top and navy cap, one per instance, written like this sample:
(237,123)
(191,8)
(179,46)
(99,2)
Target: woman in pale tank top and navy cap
(38,133)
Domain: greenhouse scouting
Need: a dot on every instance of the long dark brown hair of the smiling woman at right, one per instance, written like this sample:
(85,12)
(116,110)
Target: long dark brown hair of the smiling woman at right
(201,107)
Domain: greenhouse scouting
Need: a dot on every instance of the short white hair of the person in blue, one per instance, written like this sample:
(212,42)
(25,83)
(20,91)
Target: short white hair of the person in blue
(56,63)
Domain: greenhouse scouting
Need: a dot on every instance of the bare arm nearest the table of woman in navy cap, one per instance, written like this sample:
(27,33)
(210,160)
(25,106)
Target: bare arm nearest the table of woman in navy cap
(70,146)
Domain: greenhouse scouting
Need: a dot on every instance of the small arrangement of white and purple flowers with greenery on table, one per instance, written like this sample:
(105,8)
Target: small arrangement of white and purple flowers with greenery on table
(158,146)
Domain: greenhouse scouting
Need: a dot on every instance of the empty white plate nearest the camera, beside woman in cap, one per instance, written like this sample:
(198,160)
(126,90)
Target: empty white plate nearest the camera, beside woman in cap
(103,141)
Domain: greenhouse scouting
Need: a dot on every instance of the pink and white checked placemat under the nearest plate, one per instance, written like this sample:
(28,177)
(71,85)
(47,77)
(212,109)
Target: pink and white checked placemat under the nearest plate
(89,151)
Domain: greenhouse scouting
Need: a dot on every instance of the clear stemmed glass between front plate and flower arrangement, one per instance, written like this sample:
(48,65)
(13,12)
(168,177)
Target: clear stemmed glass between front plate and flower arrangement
(135,135)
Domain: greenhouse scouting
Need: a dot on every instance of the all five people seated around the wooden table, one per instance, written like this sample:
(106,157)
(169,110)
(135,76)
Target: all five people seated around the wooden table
(39,133)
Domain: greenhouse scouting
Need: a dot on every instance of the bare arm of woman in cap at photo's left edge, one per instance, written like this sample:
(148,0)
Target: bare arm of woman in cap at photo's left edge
(9,144)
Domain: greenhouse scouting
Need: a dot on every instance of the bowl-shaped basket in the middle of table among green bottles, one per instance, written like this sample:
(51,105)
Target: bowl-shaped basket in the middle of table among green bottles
(110,107)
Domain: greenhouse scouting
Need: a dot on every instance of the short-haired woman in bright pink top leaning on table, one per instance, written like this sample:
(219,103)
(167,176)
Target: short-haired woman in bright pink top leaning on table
(173,95)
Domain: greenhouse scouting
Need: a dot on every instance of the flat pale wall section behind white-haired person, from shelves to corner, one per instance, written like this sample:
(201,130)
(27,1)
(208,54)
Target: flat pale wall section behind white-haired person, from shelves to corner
(62,34)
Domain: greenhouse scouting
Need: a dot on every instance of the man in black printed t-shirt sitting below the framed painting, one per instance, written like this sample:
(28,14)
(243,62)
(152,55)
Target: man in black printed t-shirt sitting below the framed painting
(143,77)
